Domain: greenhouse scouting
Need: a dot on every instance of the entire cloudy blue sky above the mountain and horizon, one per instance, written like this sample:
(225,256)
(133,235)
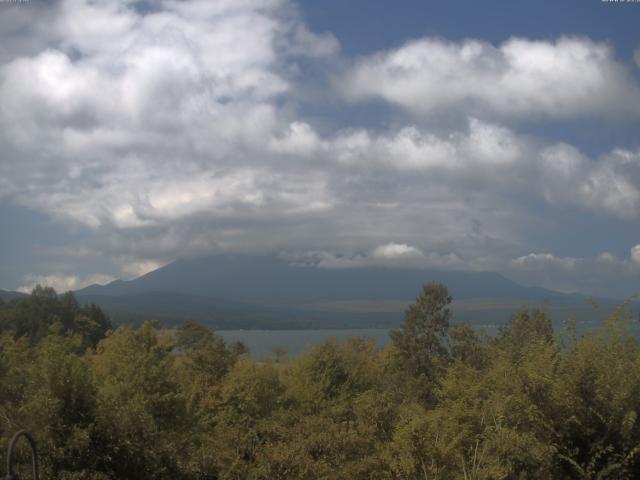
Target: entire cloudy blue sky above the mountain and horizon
(476,136)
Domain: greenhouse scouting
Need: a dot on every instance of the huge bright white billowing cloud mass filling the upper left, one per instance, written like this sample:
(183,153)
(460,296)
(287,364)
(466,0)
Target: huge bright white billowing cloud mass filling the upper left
(145,118)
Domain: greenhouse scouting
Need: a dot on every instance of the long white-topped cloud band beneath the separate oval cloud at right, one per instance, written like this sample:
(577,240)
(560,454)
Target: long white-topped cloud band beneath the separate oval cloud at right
(490,156)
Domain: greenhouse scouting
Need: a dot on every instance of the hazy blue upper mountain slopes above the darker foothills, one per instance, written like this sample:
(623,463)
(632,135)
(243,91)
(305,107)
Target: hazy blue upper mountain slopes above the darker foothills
(270,280)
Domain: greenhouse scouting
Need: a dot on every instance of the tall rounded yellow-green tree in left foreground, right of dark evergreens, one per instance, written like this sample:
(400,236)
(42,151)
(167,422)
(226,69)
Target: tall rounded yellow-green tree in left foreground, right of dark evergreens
(140,409)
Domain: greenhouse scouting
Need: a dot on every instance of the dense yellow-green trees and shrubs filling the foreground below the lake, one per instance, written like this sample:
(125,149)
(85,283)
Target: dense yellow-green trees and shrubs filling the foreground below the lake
(438,402)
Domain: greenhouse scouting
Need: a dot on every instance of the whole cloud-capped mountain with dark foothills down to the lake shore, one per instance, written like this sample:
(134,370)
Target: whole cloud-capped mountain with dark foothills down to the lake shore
(245,291)
